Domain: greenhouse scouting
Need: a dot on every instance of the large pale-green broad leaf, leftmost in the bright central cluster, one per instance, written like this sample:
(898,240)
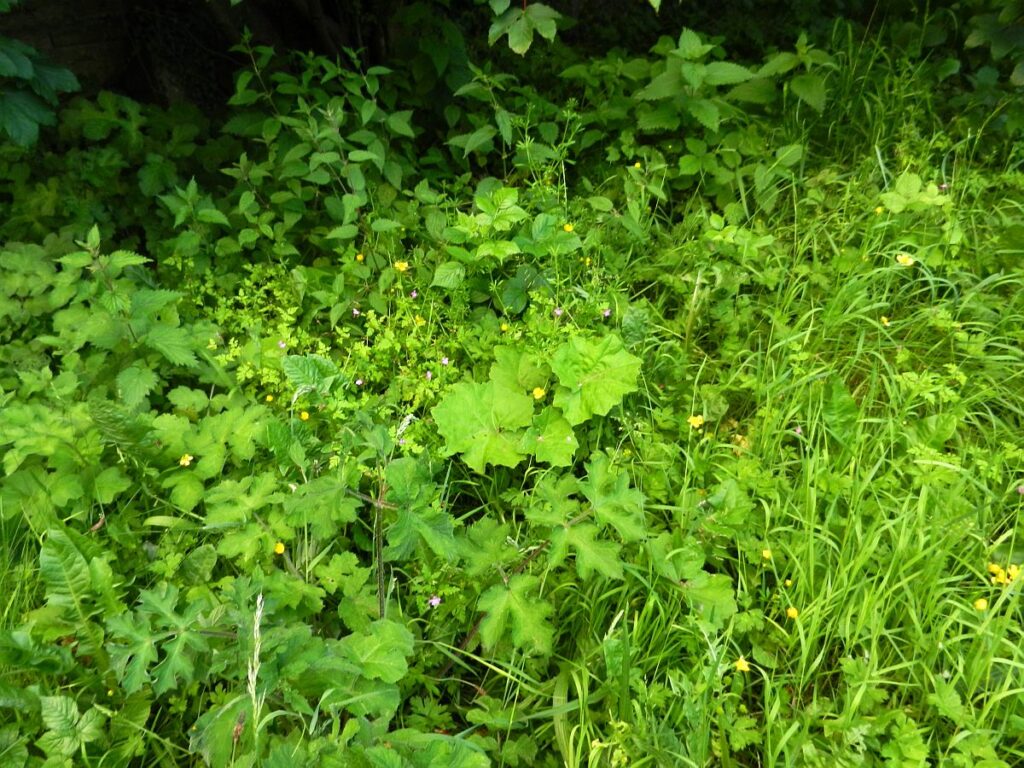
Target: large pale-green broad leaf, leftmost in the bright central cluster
(484,423)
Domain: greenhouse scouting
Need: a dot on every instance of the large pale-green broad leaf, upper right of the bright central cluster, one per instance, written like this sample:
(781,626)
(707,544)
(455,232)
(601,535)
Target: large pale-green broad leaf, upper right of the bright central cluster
(594,376)
